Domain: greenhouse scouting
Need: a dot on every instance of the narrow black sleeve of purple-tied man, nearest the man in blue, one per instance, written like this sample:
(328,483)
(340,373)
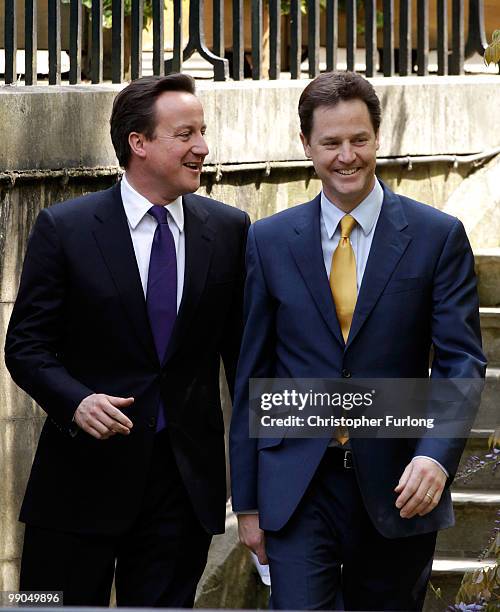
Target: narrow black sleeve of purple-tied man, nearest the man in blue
(231,342)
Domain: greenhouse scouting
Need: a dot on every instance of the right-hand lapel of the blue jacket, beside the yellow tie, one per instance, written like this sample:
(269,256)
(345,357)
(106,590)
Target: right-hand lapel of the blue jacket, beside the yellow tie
(388,246)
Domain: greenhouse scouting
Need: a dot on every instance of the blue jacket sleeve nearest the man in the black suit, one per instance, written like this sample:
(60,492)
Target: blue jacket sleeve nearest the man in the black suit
(256,361)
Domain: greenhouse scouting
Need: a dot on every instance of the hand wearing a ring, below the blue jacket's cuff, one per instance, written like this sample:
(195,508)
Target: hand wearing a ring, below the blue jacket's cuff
(420,488)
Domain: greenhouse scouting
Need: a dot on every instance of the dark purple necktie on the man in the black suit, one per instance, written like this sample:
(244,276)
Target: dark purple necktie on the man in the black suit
(161,299)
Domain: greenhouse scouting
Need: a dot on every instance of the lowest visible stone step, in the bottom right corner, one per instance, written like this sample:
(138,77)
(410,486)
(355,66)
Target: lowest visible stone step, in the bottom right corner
(447,576)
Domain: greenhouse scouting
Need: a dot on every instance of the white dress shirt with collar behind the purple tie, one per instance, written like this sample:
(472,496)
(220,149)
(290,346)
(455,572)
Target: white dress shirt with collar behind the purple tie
(142,228)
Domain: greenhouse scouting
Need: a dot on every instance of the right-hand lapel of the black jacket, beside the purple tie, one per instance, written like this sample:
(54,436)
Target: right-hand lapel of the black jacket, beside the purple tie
(199,237)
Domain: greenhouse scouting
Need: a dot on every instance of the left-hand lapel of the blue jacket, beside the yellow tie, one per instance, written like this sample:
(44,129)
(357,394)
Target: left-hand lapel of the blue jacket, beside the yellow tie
(305,245)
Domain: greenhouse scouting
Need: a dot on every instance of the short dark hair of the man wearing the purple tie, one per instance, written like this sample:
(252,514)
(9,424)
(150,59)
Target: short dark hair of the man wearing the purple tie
(133,109)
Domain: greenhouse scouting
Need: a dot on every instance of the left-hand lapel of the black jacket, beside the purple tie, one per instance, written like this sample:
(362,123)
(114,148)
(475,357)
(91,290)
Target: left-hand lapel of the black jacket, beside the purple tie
(112,235)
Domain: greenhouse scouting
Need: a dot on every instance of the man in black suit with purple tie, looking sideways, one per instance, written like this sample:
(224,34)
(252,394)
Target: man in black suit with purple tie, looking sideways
(128,299)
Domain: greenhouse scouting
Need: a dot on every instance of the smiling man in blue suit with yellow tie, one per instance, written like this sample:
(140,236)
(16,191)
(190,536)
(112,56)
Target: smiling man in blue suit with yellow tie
(358,283)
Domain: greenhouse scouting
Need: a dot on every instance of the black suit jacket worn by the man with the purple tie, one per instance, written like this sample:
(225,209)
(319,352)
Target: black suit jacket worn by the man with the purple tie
(80,326)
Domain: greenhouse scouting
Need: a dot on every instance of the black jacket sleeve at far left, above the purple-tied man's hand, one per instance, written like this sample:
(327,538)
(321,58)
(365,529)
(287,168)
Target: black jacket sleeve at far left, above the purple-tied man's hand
(33,341)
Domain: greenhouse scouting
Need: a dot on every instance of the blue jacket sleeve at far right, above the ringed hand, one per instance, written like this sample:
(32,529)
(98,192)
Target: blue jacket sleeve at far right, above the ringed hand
(456,336)
